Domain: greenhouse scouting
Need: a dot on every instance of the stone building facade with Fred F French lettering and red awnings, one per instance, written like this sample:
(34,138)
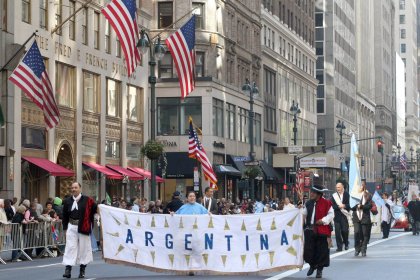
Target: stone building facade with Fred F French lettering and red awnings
(102,109)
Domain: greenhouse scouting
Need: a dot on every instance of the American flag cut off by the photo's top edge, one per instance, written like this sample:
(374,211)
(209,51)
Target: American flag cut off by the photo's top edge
(122,15)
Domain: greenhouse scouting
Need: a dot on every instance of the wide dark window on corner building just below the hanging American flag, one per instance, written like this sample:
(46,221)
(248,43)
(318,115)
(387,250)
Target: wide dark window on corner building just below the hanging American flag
(173,114)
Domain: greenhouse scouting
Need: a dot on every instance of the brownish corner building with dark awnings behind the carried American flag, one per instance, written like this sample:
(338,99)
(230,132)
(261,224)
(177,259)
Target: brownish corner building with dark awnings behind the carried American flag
(228,51)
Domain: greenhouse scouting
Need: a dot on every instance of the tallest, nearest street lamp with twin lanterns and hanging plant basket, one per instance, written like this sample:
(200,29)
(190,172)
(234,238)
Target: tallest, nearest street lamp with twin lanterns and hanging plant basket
(155,54)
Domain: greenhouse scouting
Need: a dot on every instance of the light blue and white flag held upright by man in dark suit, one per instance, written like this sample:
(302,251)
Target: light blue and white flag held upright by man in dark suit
(355,181)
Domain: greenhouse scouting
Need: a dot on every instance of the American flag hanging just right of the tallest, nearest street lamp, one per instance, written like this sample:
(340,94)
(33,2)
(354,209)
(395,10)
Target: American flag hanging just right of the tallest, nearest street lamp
(181,45)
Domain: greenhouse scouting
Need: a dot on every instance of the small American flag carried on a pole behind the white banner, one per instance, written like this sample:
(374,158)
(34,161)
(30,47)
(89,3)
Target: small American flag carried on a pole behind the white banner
(196,150)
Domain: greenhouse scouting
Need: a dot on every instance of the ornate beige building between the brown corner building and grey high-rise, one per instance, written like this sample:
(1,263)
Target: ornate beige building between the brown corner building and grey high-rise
(288,59)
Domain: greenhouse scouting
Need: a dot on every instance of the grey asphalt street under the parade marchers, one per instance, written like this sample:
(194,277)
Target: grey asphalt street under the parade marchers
(395,258)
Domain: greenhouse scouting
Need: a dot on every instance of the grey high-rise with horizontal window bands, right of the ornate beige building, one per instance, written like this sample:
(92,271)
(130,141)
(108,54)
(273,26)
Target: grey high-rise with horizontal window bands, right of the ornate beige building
(335,44)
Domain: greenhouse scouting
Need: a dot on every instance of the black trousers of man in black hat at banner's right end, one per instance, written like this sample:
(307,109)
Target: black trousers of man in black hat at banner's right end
(316,252)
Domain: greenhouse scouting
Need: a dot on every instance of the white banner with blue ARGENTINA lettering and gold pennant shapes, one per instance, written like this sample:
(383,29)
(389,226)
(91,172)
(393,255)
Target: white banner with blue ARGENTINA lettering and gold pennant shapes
(221,244)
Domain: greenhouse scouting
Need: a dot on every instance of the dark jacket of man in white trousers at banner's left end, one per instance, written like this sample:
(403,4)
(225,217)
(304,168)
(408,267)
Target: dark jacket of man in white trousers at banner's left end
(87,208)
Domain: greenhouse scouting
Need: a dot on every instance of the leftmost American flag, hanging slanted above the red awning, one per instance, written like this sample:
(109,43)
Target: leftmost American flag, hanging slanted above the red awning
(31,76)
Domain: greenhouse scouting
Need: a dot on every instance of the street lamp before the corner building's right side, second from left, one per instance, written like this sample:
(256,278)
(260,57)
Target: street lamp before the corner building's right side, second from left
(251,89)
